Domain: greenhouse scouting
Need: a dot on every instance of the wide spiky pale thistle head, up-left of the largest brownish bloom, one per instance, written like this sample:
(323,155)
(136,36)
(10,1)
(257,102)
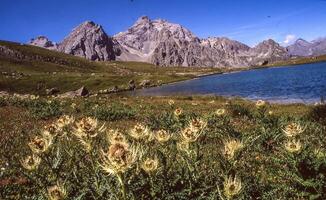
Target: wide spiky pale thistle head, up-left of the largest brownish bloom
(88,127)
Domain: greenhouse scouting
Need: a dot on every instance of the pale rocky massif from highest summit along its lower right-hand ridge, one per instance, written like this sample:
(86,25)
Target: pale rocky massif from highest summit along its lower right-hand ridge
(167,44)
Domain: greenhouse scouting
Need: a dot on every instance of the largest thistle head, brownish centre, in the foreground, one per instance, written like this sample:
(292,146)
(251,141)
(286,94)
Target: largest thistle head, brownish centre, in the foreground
(119,158)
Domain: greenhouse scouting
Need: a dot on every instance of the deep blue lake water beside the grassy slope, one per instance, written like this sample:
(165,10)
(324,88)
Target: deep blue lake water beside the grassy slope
(300,84)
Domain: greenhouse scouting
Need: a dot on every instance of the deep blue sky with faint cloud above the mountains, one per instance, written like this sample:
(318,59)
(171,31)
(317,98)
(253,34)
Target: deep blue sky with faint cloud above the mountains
(248,21)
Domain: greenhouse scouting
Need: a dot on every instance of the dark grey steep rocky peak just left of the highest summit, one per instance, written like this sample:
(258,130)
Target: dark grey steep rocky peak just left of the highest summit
(89,40)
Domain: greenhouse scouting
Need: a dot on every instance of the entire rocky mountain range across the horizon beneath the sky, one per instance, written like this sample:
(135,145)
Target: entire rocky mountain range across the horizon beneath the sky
(167,44)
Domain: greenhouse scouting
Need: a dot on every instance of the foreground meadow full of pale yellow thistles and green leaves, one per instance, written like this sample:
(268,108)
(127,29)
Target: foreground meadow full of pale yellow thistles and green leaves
(116,147)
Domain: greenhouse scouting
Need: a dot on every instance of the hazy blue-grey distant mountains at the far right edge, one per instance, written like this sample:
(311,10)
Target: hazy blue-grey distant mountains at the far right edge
(303,48)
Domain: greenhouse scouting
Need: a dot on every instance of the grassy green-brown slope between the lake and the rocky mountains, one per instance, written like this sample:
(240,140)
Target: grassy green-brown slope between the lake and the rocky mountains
(78,71)
